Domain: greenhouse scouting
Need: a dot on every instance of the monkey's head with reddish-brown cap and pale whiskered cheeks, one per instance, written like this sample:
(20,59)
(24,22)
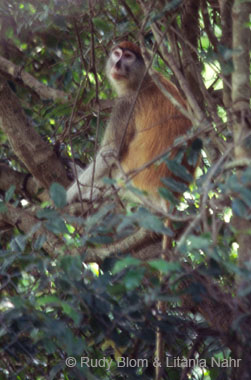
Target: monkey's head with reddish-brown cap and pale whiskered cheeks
(125,67)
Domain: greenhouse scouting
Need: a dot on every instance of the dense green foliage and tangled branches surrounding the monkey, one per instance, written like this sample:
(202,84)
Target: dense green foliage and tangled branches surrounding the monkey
(62,316)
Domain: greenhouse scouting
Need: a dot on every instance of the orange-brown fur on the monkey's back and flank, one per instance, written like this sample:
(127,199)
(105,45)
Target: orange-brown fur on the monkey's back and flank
(157,124)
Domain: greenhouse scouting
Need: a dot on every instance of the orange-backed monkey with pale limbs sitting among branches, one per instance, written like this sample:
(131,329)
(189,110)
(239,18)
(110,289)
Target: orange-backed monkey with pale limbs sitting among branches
(143,124)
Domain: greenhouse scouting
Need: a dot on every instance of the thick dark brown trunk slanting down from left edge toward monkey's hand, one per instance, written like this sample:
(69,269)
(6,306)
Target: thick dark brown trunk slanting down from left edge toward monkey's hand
(31,149)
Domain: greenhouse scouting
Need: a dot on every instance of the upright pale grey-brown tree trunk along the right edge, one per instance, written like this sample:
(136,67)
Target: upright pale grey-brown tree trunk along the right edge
(242,139)
